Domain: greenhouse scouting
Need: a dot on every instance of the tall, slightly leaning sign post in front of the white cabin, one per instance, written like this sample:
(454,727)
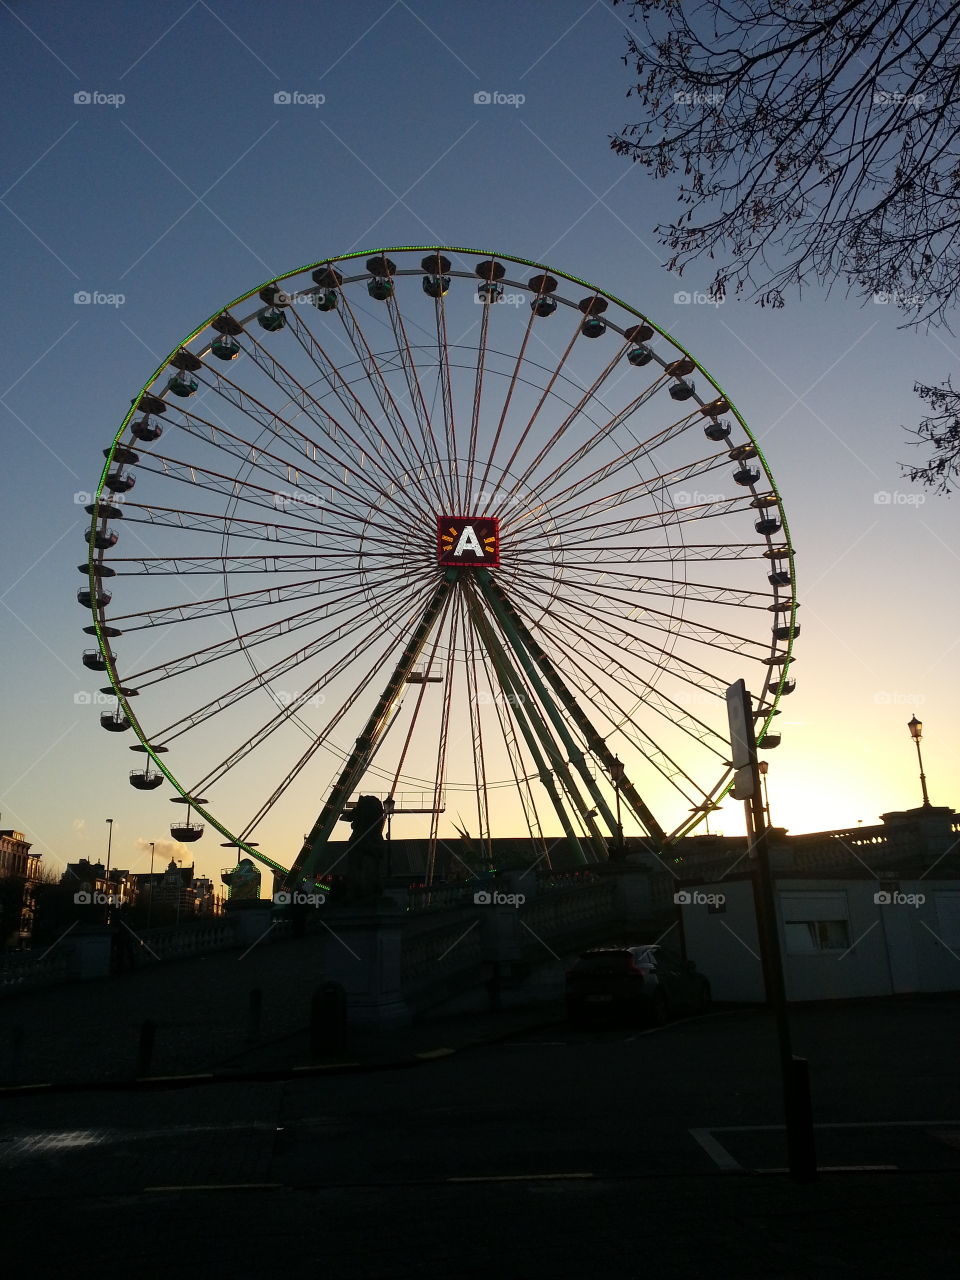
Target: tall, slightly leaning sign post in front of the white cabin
(747,787)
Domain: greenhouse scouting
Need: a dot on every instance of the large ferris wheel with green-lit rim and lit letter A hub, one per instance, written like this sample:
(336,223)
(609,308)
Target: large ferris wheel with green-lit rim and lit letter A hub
(454,529)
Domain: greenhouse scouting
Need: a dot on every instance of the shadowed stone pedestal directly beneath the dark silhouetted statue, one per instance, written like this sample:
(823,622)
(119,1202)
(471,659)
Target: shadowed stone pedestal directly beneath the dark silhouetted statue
(363,953)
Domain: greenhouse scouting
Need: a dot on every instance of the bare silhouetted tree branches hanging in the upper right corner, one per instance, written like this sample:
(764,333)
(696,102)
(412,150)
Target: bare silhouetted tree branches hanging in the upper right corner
(812,143)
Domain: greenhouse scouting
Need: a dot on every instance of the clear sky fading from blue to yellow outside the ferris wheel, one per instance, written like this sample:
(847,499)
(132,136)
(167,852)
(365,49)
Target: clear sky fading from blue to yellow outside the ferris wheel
(198,186)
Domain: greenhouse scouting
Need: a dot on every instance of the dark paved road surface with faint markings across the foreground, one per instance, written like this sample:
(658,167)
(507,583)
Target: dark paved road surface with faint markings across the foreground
(551,1153)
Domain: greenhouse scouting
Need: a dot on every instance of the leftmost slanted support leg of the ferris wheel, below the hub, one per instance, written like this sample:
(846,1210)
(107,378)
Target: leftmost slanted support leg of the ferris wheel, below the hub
(307,865)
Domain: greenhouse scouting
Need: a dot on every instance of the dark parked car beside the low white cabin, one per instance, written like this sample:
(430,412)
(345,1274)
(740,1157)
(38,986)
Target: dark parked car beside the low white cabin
(644,982)
